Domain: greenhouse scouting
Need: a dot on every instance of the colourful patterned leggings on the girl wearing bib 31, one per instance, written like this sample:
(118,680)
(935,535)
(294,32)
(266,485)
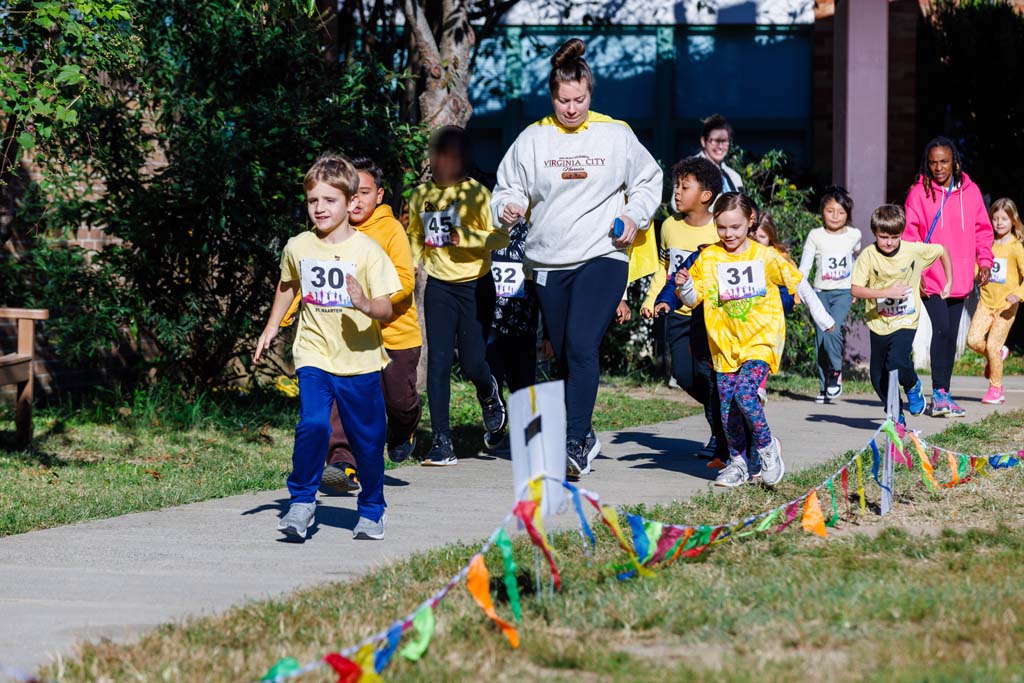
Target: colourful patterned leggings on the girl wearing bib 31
(741,407)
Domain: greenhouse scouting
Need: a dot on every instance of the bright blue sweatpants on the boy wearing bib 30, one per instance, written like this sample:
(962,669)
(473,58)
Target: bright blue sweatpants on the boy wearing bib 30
(361,406)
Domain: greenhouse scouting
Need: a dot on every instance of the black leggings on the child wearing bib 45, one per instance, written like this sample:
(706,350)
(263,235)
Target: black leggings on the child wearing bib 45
(456,314)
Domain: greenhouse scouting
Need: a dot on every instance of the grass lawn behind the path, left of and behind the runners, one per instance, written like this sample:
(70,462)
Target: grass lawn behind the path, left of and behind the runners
(112,455)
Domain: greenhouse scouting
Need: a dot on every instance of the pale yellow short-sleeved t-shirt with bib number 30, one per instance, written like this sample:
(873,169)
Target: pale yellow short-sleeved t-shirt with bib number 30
(332,335)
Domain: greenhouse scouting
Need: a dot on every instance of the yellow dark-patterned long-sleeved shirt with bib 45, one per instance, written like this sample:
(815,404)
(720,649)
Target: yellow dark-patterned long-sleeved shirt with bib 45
(435,212)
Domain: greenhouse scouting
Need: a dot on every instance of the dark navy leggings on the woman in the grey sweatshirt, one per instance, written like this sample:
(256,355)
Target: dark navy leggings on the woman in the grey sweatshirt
(578,308)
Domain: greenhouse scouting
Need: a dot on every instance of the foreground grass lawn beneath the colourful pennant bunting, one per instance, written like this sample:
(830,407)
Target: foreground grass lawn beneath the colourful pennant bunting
(932,593)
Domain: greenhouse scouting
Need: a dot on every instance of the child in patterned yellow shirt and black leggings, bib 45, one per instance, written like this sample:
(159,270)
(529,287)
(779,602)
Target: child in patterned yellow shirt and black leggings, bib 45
(450,229)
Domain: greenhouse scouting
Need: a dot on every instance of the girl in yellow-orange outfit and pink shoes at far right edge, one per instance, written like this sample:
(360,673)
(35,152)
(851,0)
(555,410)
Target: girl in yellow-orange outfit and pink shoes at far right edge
(1000,297)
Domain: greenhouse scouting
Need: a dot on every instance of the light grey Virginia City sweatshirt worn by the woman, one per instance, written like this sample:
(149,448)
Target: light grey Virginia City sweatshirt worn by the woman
(575,184)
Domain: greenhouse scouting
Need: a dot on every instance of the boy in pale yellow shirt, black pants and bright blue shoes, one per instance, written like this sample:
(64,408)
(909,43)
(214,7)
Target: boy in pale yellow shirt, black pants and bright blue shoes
(887,276)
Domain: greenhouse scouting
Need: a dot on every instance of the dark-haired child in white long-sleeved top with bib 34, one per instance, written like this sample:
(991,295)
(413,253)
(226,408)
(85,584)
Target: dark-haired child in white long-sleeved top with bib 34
(830,252)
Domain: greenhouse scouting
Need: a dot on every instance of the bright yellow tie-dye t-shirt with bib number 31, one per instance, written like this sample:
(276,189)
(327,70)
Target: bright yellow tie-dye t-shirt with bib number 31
(743,310)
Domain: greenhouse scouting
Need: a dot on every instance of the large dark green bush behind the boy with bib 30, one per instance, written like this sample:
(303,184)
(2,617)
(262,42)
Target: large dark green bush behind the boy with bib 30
(200,159)
